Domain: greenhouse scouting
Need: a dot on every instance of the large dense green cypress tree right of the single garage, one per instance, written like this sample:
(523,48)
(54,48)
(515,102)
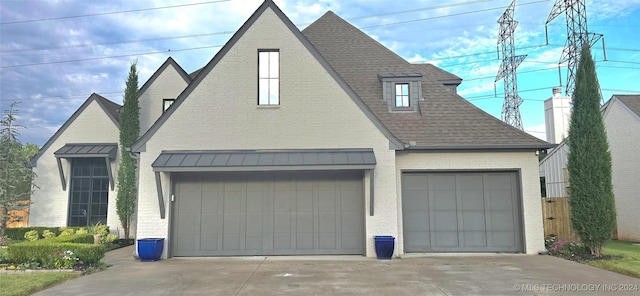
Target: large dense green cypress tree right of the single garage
(589,162)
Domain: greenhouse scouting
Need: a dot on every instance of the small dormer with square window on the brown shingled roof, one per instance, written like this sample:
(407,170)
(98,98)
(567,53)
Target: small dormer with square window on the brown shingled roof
(401,91)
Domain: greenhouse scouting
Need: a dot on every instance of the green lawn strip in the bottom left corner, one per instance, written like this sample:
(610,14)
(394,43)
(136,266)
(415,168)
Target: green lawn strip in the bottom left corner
(28,283)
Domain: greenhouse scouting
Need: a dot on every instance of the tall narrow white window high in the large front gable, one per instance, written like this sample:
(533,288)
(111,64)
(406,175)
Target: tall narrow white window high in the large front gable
(268,77)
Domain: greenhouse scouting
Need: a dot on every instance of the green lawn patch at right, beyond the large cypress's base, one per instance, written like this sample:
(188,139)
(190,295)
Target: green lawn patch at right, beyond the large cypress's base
(629,264)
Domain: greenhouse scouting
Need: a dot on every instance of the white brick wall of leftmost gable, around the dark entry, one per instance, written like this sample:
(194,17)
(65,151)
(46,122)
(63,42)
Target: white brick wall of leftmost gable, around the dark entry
(50,202)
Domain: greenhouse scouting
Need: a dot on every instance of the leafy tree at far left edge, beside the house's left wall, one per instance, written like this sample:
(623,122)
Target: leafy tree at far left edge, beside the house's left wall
(16,179)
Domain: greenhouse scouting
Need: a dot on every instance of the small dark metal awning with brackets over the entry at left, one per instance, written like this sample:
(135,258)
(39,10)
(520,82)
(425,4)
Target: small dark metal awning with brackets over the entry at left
(108,151)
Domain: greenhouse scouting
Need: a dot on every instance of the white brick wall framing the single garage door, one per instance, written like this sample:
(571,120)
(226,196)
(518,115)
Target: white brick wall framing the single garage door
(526,162)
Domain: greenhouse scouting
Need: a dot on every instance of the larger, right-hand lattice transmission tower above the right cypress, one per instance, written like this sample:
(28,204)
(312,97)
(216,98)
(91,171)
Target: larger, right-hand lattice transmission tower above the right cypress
(577,36)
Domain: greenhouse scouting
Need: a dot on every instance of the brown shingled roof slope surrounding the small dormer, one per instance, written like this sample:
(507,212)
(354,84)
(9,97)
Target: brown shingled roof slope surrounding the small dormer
(444,121)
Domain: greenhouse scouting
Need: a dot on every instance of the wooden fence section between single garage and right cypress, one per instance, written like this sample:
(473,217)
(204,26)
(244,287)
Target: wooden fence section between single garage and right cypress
(556,215)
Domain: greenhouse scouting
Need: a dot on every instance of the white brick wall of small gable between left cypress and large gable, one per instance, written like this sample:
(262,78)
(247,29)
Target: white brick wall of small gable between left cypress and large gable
(168,85)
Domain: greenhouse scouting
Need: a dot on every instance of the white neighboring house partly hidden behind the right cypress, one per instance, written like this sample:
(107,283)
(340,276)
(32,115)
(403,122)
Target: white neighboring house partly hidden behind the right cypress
(621,116)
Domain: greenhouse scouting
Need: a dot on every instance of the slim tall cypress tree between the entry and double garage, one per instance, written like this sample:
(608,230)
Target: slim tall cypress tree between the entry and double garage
(129,132)
